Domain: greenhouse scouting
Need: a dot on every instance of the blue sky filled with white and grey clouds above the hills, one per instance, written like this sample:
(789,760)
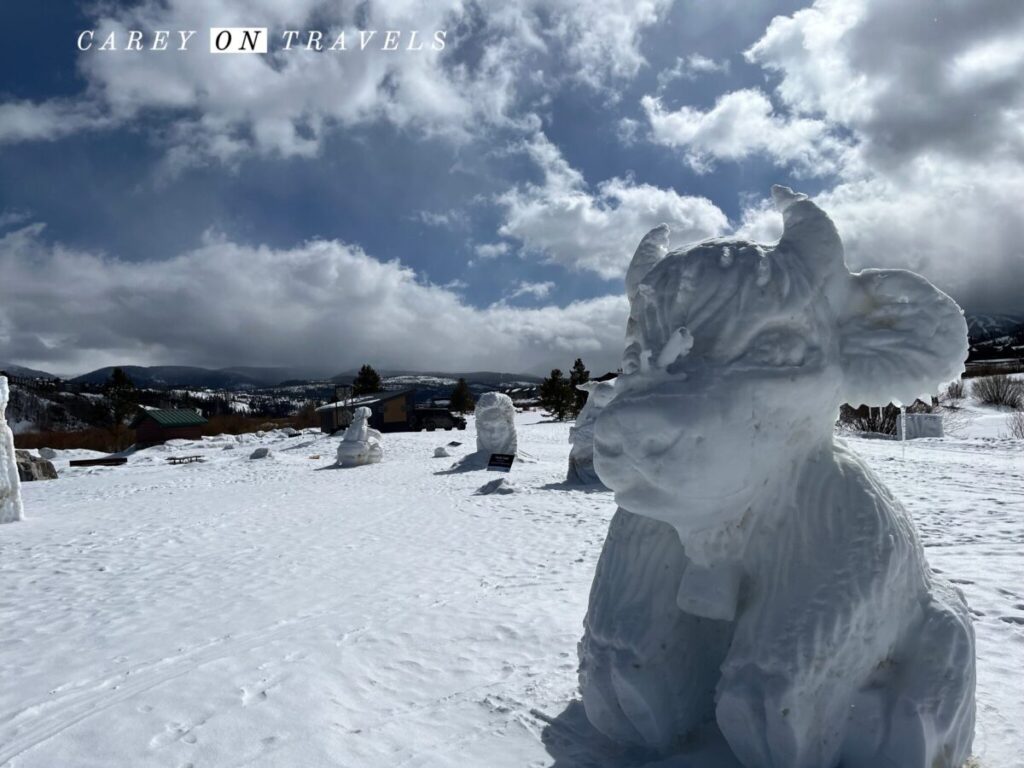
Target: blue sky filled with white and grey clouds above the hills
(476,208)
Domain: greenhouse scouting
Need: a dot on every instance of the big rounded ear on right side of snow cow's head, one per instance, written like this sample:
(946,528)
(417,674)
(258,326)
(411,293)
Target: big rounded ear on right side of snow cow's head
(901,338)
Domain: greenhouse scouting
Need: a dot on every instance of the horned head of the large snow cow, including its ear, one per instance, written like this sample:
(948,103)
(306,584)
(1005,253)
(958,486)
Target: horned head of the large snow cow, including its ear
(740,355)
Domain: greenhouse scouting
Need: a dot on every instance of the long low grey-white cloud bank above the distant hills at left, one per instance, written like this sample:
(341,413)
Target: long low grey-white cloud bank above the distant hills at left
(227,303)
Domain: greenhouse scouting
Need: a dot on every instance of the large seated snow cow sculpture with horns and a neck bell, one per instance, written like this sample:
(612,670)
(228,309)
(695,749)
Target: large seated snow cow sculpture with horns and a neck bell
(757,575)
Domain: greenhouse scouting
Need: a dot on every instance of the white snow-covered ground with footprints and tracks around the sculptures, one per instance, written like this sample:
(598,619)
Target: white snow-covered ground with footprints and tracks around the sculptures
(282,613)
